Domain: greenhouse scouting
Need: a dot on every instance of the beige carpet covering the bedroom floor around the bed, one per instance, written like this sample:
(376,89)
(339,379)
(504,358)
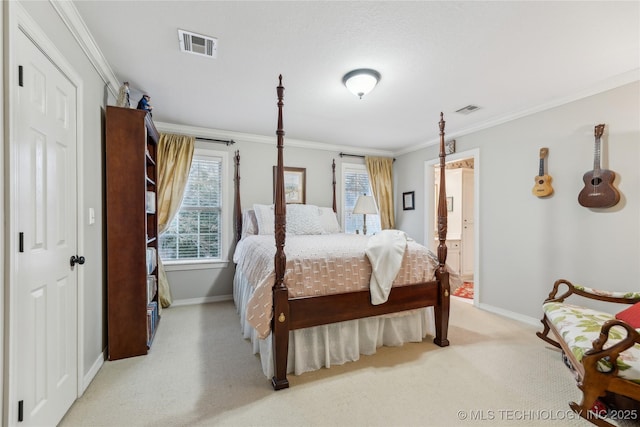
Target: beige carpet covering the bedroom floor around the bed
(201,372)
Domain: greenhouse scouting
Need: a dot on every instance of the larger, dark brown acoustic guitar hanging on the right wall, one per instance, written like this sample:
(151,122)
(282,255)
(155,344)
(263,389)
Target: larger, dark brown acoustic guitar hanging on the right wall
(598,191)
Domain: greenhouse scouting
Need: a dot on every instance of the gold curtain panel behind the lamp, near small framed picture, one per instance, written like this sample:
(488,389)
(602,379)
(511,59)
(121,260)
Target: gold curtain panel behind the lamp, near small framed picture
(380,171)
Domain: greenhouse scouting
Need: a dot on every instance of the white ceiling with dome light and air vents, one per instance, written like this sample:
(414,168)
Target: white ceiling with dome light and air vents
(508,58)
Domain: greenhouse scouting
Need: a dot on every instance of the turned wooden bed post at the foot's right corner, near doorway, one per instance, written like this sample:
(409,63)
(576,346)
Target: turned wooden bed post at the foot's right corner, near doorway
(442,310)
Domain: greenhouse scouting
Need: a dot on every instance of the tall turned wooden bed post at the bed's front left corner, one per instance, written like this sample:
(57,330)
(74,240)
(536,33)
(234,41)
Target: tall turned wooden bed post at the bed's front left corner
(280,320)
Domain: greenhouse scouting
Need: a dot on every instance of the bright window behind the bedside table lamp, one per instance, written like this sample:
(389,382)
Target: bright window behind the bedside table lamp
(355,182)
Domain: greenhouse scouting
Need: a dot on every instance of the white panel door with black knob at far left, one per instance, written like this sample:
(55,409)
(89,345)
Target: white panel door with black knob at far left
(46,196)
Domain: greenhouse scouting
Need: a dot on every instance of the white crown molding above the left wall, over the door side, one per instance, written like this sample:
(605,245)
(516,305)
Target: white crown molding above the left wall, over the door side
(72,19)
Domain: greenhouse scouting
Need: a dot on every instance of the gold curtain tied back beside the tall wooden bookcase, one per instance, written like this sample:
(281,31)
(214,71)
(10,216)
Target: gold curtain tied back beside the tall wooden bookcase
(174,162)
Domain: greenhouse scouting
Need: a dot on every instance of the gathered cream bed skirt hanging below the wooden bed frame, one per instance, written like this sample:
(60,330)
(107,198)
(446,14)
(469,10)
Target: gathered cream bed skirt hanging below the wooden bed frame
(322,346)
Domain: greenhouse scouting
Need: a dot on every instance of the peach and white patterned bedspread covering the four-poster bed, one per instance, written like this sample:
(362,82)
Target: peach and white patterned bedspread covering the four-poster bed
(318,265)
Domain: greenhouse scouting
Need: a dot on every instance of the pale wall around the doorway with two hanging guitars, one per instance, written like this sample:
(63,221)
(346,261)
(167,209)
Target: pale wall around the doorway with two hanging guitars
(526,243)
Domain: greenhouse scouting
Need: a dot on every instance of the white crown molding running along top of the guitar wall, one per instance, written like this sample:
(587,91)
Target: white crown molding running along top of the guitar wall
(600,87)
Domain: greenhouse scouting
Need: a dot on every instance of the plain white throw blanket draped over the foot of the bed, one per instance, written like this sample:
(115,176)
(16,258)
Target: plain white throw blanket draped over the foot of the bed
(385,251)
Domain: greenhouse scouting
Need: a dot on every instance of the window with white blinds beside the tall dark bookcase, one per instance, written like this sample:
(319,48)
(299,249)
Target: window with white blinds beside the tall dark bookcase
(195,234)
